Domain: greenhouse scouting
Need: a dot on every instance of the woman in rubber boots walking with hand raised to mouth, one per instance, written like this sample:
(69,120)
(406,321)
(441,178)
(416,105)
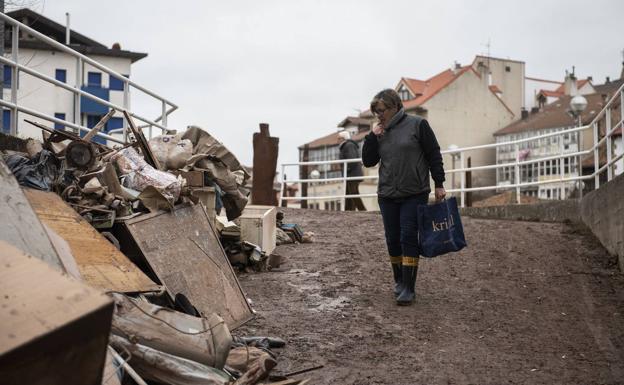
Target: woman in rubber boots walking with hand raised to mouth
(408,151)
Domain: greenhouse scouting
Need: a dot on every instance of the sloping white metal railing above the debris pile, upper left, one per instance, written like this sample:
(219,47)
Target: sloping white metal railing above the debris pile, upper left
(167,107)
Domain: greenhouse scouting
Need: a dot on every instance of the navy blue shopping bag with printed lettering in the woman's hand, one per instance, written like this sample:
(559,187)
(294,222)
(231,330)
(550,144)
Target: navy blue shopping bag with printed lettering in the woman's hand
(439,228)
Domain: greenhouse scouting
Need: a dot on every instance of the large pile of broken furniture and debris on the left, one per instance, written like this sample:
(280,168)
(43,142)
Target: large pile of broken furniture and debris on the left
(131,255)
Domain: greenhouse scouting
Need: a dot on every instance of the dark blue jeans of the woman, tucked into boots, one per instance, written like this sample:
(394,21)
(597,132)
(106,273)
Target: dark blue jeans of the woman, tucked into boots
(401,224)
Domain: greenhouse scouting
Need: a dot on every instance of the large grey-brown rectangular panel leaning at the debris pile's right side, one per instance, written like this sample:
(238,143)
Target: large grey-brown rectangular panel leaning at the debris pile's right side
(184,251)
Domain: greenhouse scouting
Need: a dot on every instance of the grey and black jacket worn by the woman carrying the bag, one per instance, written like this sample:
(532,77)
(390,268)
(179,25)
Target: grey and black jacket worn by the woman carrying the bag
(408,150)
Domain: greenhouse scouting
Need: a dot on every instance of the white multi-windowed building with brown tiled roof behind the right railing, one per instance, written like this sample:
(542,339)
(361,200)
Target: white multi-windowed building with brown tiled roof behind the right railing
(554,117)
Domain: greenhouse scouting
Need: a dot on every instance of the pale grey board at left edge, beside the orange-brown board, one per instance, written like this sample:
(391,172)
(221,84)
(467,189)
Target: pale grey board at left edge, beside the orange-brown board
(20,226)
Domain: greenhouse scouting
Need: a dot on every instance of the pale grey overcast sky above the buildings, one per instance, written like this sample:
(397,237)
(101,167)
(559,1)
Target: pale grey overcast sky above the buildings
(302,66)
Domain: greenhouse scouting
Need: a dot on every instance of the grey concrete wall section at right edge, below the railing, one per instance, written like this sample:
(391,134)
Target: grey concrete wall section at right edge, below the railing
(602,211)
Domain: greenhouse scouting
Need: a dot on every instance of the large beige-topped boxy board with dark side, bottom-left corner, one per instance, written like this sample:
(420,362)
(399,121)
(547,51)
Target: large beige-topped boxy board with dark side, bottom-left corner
(54,328)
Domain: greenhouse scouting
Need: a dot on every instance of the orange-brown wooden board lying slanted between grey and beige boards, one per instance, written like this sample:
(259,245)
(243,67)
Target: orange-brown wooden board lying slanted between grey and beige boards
(101,265)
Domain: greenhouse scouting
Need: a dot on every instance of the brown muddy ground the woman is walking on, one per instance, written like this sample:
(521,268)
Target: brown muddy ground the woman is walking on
(525,303)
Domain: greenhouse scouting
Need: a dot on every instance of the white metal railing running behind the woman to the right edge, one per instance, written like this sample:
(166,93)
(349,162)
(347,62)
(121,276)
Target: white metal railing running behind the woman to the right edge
(609,165)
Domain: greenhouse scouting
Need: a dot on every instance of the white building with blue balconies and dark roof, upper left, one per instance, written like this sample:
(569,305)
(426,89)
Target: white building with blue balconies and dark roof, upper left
(55,101)
